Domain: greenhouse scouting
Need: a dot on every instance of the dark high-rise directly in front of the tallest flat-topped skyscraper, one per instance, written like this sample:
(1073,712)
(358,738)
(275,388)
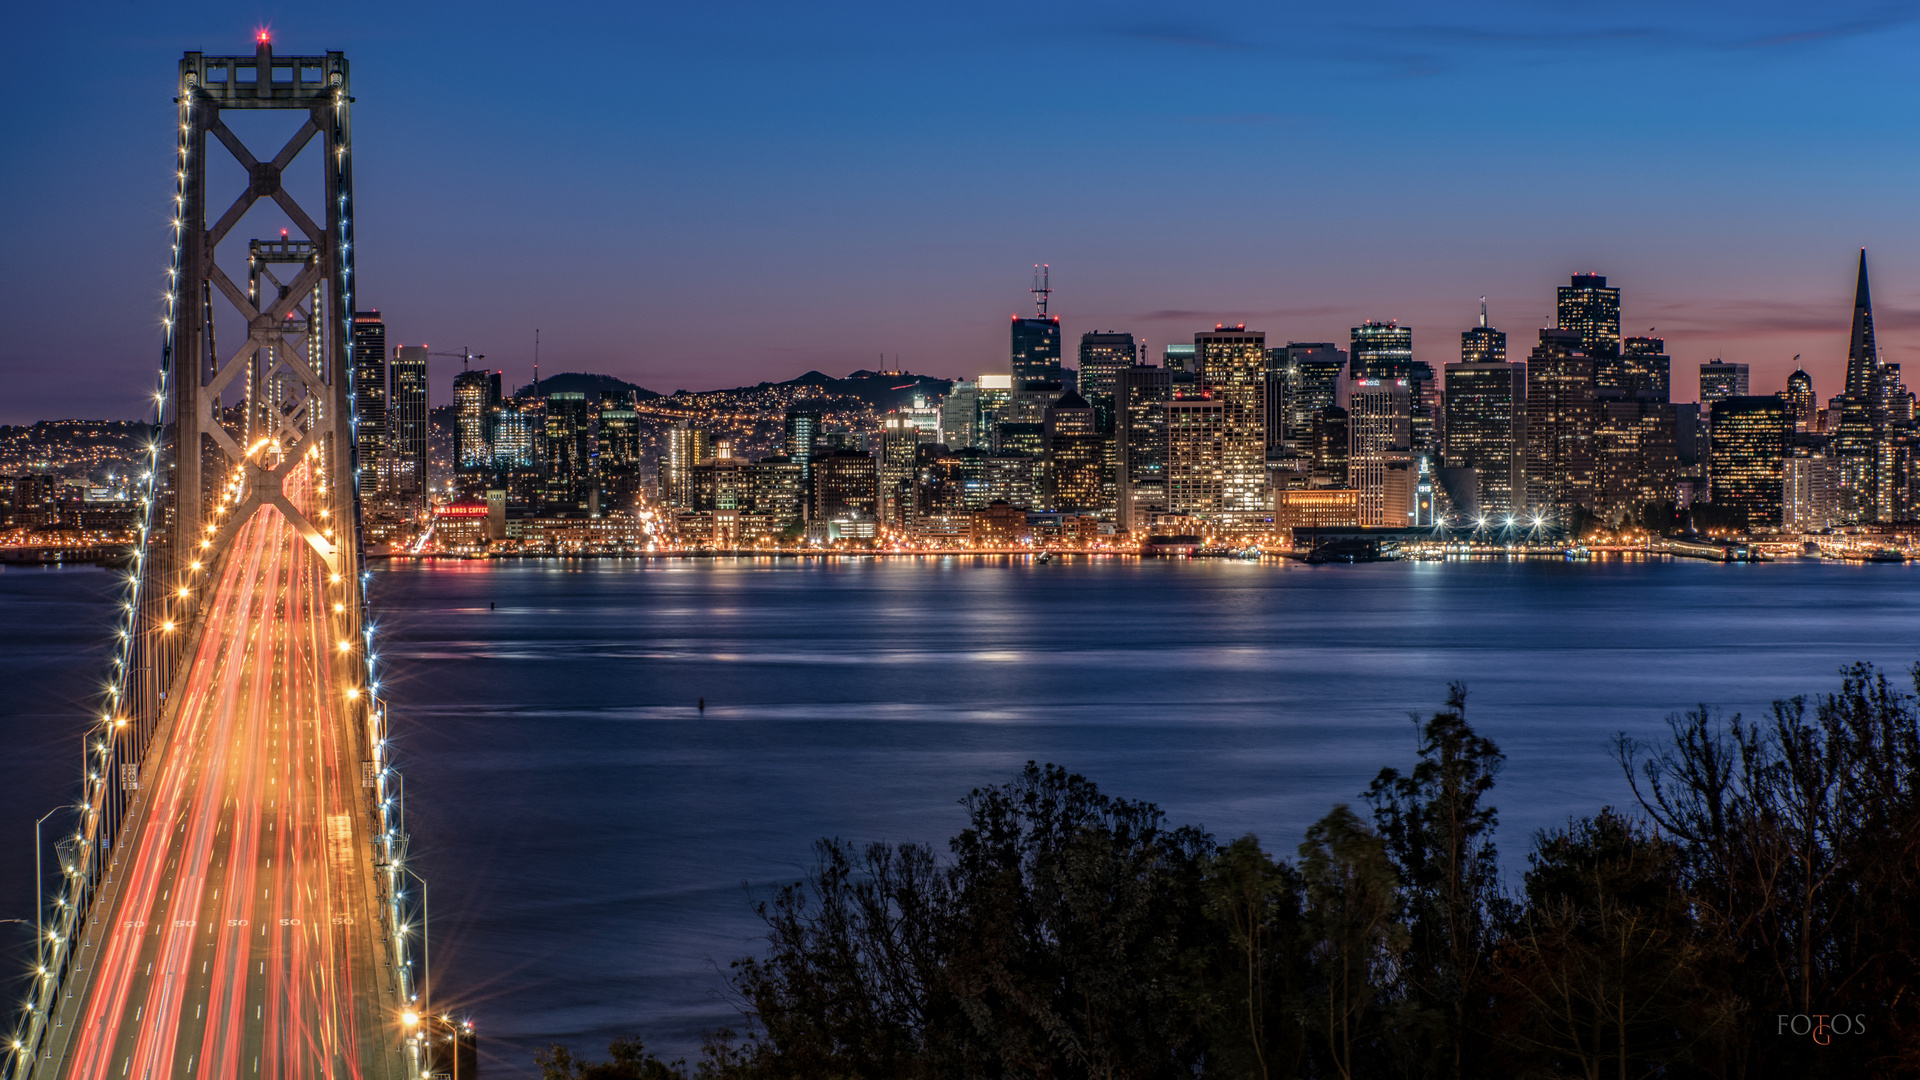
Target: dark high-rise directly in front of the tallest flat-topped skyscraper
(1560,426)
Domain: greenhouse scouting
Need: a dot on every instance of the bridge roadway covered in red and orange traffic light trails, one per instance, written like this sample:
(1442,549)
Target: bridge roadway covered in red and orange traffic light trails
(239,933)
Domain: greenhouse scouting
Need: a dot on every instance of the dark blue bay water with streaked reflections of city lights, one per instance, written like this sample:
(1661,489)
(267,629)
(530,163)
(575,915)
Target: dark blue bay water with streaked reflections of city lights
(588,829)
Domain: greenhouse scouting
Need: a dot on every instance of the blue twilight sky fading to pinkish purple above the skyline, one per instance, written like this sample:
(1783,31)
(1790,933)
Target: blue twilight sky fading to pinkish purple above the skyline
(709,195)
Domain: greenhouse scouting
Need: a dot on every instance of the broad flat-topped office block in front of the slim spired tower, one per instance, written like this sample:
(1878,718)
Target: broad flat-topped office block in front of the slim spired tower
(1487,426)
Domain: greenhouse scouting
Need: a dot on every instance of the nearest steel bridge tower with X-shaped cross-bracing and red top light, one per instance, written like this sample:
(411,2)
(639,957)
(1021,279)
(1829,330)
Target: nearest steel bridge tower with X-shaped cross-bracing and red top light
(293,374)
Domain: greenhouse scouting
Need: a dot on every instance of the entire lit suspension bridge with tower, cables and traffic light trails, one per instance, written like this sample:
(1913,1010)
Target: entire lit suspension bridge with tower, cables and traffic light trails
(233,889)
